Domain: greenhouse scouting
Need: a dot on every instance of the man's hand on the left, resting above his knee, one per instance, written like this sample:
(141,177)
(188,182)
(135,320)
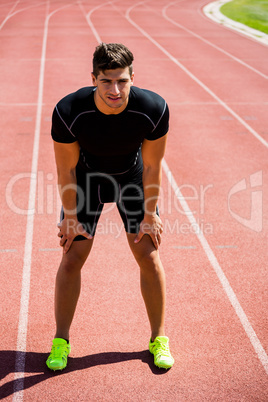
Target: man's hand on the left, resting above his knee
(68,230)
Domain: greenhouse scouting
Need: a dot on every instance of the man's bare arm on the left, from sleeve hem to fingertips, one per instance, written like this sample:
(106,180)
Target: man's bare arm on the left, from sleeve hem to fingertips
(67,156)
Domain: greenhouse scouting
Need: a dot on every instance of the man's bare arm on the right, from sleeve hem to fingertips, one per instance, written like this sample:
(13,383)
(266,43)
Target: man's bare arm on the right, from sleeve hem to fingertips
(152,155)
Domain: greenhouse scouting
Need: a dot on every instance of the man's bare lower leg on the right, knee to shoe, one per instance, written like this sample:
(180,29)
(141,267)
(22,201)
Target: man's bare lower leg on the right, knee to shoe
(152,281)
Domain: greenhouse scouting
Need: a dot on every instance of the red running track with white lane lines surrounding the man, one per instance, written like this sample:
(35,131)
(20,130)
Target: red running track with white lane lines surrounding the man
(215,179)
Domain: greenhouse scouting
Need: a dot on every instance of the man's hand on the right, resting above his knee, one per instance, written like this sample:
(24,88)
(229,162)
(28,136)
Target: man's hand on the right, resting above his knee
(153,226)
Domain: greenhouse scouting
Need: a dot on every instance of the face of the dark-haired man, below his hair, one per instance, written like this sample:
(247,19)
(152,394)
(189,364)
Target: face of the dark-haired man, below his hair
(113,87)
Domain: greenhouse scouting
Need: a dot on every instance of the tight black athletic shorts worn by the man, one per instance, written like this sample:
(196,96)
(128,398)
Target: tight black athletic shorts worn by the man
(94,189)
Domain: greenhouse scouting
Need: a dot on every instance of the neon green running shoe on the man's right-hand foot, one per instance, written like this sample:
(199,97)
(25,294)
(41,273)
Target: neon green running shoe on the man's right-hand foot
(160,349)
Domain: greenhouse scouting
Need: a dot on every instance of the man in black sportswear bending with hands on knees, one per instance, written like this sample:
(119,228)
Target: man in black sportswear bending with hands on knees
(109,141)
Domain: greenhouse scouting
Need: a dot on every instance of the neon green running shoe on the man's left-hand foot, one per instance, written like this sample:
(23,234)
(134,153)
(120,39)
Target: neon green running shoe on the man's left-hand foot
(57,360)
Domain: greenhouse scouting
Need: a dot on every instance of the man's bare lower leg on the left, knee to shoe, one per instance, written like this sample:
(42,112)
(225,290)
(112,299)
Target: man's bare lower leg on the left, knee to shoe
(68,283)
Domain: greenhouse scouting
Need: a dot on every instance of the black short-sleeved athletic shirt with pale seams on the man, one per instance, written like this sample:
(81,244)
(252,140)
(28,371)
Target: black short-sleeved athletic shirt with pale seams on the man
(109,143)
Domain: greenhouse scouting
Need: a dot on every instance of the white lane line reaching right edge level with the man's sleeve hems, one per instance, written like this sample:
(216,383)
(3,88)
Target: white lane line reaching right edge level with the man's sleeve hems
(194,78)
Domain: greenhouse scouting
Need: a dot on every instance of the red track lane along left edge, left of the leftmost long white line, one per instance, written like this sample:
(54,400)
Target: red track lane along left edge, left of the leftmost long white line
(18,100)
